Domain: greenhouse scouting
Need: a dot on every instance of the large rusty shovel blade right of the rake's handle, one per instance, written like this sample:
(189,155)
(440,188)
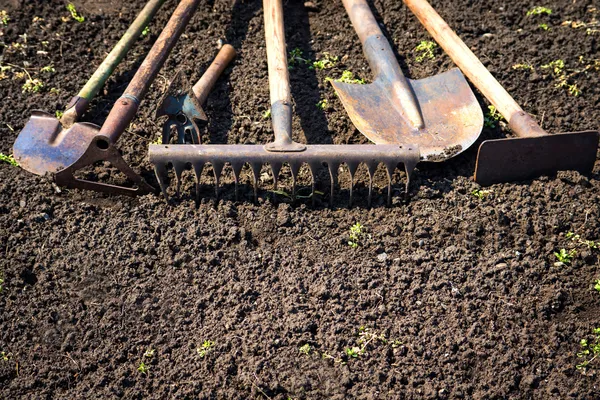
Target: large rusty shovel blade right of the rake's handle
(452,116)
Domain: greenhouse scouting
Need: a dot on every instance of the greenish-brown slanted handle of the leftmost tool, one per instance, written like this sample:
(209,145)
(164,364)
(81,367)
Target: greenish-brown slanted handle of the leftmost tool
(79,103)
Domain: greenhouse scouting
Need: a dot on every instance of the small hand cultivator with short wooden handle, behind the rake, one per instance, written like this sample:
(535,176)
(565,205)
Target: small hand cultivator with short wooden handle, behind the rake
(184,107)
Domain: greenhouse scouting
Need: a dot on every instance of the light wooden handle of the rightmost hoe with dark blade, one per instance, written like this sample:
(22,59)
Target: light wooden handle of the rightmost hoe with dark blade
(519,121)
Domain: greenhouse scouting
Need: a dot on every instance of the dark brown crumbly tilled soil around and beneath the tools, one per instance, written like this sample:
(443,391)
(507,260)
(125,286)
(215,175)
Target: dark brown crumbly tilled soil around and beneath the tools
(446,296)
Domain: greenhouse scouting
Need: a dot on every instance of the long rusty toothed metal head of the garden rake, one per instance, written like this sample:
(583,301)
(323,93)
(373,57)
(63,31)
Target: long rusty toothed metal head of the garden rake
(182,157)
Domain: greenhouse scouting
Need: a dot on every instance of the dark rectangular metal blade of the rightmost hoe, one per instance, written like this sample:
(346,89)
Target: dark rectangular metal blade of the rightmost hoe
(517,159)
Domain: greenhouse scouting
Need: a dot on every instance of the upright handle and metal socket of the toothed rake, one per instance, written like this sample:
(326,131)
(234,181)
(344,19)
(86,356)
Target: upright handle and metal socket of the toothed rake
(279,79)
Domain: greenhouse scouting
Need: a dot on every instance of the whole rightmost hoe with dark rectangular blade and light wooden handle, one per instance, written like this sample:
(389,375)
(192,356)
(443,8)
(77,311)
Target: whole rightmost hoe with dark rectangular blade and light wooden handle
(533,152)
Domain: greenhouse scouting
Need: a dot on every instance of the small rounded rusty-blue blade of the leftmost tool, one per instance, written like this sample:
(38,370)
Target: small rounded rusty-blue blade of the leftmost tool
(44,146)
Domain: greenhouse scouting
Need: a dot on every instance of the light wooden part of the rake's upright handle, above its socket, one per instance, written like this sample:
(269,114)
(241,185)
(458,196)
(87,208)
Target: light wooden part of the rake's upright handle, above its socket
(279,80)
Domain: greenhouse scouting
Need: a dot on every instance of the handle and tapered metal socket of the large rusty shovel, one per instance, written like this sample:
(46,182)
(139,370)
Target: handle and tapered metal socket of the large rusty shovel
(382,59)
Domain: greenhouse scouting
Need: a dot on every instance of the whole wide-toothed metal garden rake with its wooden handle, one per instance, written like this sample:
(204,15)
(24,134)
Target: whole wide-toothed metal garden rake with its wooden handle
(283,149)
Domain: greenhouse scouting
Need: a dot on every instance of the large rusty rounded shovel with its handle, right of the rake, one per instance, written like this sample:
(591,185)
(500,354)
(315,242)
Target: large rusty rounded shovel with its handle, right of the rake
(440,114)
